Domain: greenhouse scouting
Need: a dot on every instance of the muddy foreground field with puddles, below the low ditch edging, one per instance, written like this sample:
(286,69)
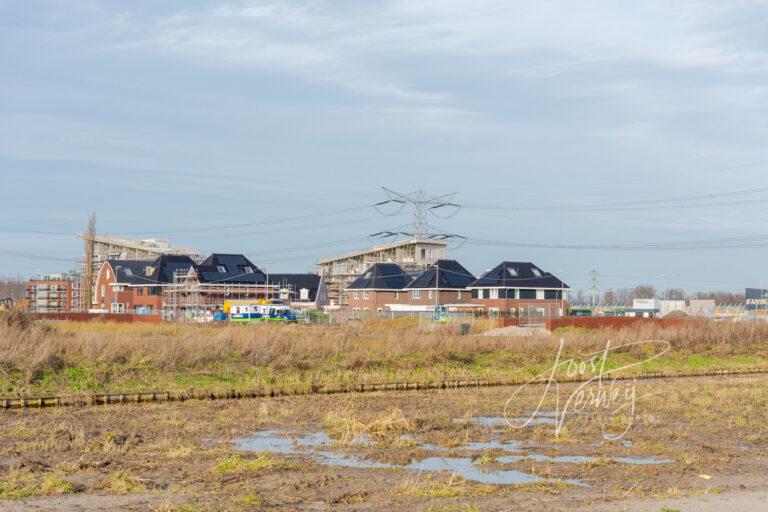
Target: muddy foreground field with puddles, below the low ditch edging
(690,444)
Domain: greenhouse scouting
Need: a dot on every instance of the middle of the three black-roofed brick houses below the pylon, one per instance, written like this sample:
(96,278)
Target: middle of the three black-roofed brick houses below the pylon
(443,282)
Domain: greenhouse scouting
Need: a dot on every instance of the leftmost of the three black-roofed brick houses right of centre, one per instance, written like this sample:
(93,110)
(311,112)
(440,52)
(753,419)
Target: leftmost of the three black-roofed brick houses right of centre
(380,284)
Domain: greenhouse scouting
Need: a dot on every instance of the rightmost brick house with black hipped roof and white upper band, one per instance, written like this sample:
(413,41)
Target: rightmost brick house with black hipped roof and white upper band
(519,289)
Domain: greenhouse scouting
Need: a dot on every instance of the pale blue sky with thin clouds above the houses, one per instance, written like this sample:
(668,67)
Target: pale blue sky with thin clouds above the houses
(577,135)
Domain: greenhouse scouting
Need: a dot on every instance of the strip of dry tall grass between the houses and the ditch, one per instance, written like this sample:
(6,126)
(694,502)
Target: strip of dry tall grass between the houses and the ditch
(62,358)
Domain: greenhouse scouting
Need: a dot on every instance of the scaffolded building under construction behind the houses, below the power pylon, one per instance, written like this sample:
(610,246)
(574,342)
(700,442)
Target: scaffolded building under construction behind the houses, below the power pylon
(413,254)
